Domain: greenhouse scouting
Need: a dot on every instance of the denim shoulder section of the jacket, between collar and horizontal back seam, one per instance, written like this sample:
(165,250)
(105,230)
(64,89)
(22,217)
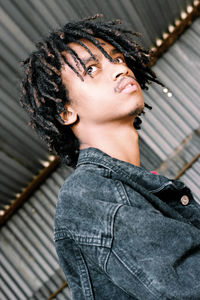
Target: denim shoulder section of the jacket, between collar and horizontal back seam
(86,207)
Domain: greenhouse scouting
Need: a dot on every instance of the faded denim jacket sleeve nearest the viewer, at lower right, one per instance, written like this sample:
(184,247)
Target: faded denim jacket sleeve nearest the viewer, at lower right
(153,256)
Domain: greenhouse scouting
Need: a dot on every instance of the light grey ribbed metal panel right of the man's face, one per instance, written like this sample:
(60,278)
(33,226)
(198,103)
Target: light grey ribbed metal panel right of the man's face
(172,119)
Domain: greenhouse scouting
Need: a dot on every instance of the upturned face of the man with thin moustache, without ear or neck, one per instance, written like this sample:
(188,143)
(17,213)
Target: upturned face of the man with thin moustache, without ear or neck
(108,93)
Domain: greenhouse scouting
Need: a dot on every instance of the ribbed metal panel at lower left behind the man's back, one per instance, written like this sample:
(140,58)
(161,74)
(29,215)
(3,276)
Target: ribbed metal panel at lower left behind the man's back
(29,262)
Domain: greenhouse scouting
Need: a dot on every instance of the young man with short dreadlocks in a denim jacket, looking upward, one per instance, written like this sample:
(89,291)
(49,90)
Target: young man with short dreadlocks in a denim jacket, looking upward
(120,231)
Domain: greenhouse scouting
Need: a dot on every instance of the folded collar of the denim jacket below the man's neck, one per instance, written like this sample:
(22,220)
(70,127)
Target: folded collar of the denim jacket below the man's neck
(145,183)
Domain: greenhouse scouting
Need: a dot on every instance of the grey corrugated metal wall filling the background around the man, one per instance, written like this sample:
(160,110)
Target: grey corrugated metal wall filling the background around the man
(29,264)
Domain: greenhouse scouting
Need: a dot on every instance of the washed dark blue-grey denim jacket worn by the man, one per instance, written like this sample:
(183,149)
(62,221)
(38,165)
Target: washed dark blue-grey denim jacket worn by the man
(123,233)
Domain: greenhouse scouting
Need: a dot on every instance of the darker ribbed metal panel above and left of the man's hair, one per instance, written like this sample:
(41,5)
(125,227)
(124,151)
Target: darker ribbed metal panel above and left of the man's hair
(24,22)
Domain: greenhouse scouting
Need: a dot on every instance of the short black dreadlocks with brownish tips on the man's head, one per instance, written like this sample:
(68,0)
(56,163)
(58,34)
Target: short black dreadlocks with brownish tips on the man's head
(43,93)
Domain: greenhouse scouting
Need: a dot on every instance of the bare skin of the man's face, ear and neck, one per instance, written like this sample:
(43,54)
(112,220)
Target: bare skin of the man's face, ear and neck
(99,115)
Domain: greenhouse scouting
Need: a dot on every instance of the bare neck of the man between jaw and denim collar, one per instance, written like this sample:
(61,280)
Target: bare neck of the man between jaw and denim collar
(120,142)
